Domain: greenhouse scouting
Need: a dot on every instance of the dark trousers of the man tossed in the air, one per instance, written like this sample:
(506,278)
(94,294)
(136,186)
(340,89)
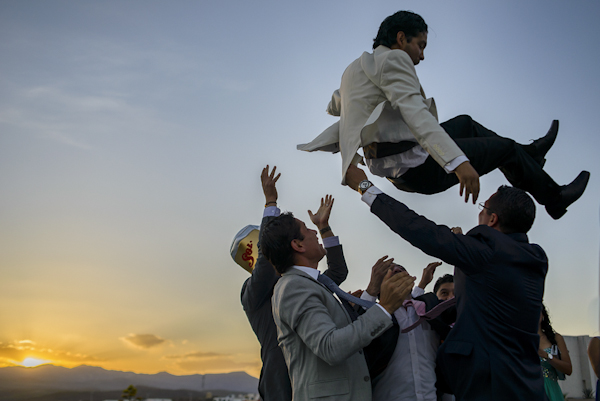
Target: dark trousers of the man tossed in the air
(486,151)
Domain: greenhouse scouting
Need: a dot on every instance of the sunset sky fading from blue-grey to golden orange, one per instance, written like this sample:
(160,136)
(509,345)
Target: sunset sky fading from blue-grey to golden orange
(133,133)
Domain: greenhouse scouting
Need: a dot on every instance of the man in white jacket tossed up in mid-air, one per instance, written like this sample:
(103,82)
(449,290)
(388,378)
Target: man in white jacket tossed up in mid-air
(383,109)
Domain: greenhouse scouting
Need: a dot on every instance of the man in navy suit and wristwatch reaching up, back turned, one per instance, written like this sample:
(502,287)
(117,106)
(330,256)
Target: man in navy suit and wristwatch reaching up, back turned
(491,353)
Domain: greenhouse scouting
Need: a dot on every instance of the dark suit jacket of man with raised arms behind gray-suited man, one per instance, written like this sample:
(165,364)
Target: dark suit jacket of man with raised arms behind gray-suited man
(274,382)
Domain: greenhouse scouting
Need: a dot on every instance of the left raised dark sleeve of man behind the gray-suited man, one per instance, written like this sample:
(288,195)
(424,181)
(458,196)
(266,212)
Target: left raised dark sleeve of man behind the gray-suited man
(259,287)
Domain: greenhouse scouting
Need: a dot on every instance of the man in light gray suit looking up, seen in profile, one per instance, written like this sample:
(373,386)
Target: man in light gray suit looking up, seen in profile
(321,344)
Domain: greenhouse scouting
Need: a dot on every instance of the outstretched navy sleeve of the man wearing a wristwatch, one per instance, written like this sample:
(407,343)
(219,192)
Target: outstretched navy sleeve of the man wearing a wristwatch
(468,252)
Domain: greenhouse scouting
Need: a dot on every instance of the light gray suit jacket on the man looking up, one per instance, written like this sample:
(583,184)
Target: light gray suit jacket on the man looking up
(321,345)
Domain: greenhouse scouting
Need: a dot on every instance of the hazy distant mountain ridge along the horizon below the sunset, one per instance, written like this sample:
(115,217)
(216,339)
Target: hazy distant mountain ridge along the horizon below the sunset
(41,379)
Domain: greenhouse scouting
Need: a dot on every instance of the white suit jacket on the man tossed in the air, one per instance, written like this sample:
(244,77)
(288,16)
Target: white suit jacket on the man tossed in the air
(381,100)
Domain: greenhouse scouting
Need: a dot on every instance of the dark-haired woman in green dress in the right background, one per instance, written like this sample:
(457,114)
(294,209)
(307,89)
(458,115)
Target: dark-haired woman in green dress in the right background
(554,356)
